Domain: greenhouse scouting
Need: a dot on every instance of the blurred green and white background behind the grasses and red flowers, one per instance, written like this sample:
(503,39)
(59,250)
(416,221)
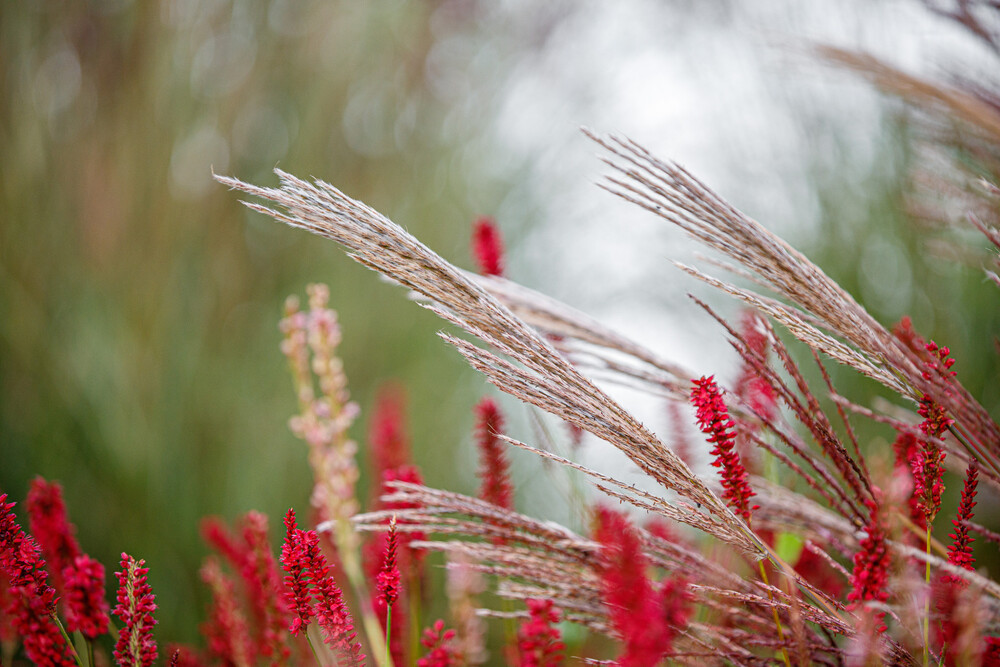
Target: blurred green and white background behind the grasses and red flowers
(139,359)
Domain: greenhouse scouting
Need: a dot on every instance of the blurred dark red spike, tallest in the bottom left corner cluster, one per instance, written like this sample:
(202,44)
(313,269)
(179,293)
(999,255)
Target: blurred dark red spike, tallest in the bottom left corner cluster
(50,525)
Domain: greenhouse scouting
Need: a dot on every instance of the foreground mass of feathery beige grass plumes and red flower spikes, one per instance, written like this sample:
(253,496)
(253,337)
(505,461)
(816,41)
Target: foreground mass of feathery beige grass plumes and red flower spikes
(803,544)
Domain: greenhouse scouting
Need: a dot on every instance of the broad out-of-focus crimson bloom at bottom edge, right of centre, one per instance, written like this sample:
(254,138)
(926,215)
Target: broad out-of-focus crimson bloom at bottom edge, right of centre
(646,619)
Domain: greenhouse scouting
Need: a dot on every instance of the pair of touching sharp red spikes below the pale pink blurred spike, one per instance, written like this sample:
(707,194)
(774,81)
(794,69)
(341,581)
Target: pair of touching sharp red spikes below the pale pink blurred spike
(305,563)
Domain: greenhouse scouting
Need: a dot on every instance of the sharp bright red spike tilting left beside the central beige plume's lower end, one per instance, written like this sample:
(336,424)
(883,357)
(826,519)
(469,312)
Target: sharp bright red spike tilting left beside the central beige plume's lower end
(714,421)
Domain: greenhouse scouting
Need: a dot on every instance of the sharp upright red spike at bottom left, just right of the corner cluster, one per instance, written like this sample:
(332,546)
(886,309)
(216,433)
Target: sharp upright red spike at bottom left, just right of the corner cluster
(136,604)
